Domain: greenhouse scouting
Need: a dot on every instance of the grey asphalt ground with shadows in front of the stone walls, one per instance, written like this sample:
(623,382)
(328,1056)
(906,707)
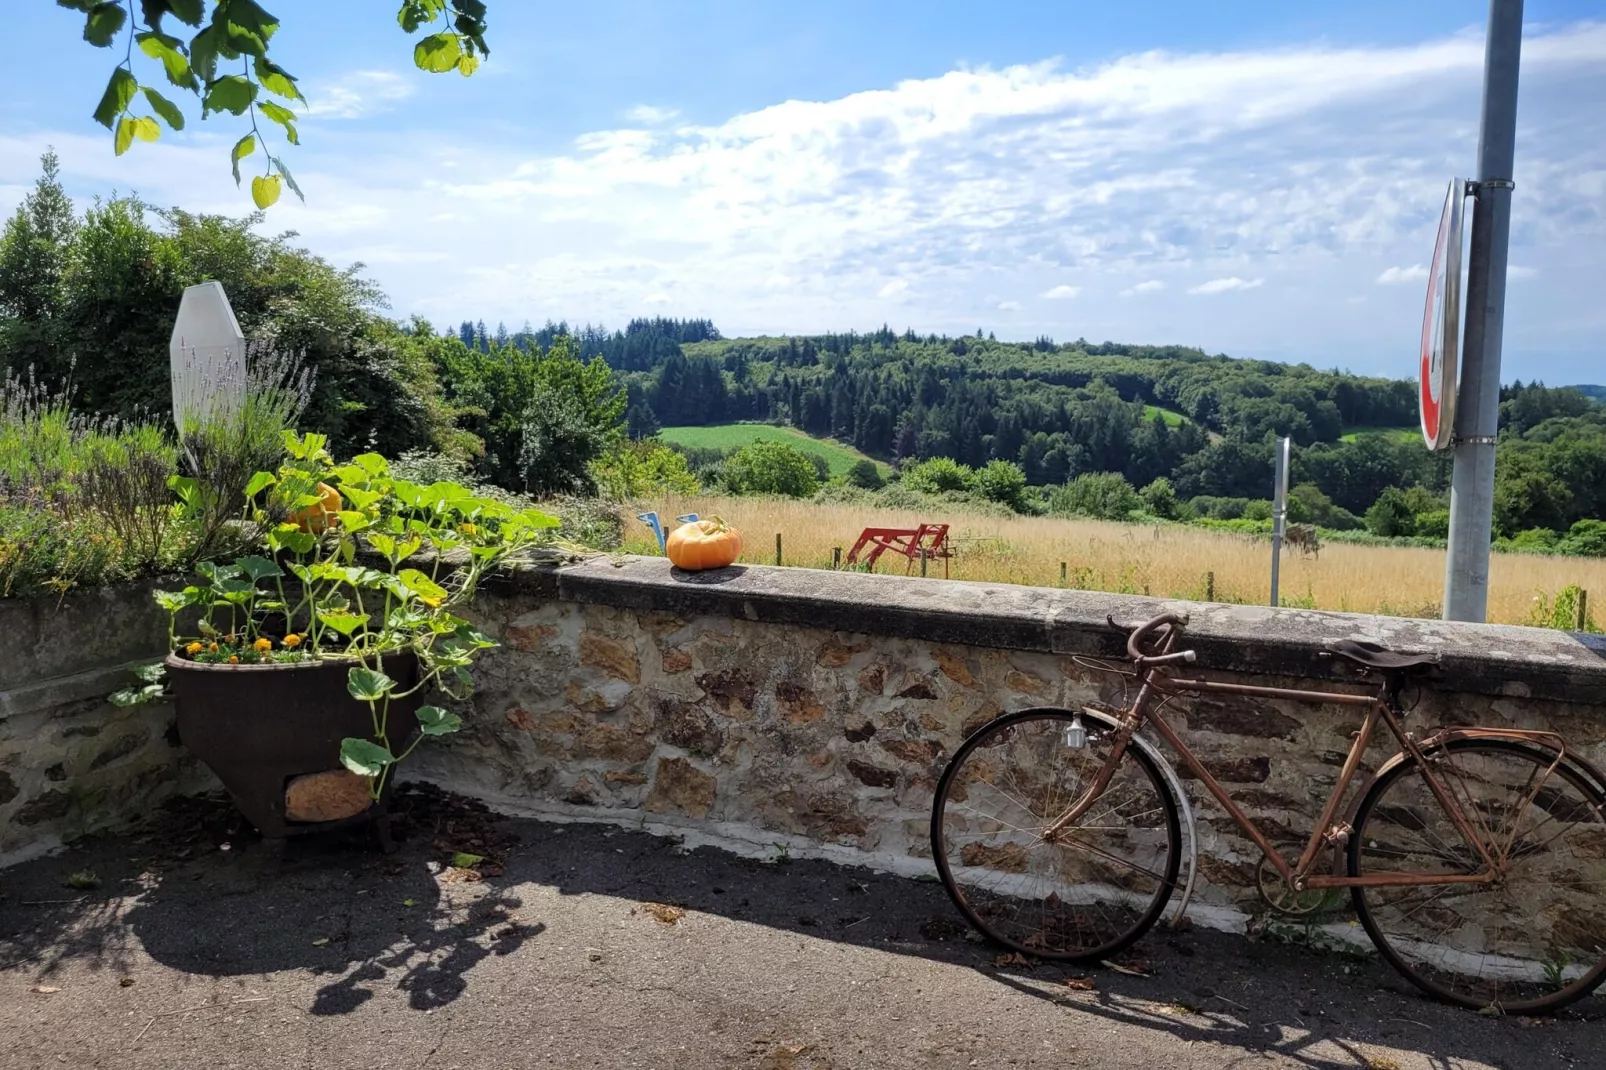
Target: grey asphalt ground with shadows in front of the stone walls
(587,945)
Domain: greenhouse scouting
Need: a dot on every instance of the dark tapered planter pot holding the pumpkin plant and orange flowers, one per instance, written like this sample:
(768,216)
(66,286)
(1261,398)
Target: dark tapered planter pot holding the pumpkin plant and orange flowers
(263,727)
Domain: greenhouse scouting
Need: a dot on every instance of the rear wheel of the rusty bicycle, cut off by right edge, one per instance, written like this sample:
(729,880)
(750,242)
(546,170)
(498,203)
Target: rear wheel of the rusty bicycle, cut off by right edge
(1474,944)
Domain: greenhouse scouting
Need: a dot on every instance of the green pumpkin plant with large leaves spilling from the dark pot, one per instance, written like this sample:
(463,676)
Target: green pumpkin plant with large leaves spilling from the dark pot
(356,566)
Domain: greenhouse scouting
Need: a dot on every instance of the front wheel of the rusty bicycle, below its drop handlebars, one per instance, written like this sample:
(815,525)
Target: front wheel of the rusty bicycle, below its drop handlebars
(1085,892)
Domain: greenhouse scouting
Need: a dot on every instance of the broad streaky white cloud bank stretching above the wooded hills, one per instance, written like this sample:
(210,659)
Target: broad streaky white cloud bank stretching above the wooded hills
(1326,166)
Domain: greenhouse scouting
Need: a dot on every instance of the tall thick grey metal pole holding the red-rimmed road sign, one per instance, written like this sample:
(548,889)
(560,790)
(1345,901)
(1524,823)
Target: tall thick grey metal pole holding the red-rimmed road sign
(1478,399)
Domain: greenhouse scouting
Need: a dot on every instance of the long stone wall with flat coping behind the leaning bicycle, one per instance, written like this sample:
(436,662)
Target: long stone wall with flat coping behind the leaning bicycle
(820,708)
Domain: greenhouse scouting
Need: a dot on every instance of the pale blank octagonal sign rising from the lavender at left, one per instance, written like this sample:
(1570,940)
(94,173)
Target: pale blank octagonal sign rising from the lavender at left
(208,356)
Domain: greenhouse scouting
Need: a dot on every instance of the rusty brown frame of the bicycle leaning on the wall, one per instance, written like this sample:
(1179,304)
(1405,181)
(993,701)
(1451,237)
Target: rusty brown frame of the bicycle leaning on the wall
(1382,708)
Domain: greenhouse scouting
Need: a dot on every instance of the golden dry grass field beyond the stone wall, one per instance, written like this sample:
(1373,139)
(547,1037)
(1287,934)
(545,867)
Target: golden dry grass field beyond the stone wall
(1164,562)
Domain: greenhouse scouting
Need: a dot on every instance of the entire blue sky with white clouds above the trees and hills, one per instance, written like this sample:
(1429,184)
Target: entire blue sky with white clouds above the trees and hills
(1258,179)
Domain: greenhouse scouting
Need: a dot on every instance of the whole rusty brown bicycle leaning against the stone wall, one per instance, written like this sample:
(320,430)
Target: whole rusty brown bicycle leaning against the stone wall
(1058,835)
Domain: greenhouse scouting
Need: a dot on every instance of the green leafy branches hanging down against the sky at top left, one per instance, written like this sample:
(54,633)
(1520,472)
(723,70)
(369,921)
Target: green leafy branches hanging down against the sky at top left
(227,31)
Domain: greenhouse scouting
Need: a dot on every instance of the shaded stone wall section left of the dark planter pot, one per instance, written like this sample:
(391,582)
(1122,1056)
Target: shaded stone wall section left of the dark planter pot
(70,761)
